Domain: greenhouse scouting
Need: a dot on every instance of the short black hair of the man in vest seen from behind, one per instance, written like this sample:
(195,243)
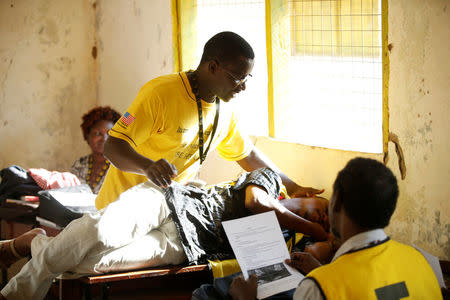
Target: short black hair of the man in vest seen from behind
(368,191)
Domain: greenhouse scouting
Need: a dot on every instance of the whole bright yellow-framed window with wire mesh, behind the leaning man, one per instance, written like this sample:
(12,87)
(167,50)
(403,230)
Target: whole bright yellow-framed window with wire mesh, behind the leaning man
(322,62)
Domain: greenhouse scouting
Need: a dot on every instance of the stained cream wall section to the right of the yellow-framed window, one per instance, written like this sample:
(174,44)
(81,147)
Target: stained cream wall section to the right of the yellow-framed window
(419,107)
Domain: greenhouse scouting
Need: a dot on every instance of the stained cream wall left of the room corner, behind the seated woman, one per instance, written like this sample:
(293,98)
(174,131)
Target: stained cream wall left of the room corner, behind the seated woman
(47,81)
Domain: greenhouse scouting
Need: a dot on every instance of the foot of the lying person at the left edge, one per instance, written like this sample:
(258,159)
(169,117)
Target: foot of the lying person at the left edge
(15,249)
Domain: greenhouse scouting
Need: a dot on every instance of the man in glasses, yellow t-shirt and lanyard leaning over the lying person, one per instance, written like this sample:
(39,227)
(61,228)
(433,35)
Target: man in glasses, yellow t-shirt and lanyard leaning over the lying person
(169,128)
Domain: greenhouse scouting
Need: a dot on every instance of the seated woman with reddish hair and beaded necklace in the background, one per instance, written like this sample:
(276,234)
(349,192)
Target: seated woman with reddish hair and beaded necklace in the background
(91,169)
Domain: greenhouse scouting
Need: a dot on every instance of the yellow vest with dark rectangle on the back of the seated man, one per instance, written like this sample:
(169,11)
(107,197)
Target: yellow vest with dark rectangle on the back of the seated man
(378,273)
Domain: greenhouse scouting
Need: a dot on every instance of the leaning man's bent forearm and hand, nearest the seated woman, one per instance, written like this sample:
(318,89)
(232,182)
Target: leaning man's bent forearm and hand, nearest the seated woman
(125,158)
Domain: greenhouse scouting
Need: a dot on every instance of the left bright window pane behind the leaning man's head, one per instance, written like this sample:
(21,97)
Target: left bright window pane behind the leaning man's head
(246,18)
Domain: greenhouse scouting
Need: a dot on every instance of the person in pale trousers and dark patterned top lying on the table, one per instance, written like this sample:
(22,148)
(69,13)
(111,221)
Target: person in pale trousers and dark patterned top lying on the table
(148,226)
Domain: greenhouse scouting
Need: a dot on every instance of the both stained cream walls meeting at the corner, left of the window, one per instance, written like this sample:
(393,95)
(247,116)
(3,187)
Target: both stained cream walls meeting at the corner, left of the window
(50,77)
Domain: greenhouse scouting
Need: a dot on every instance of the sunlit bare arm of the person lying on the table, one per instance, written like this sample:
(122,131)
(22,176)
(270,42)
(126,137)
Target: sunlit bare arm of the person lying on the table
(257,201)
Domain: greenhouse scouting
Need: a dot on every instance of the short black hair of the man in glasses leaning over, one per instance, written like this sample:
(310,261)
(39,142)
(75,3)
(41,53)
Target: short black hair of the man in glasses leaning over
(226,46)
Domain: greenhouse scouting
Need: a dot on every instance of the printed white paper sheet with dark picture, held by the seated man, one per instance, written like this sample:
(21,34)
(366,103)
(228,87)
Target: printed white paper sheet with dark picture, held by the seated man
(260,249)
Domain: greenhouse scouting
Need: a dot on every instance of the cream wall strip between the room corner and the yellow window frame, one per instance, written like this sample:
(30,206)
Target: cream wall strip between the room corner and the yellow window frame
(135,45)
